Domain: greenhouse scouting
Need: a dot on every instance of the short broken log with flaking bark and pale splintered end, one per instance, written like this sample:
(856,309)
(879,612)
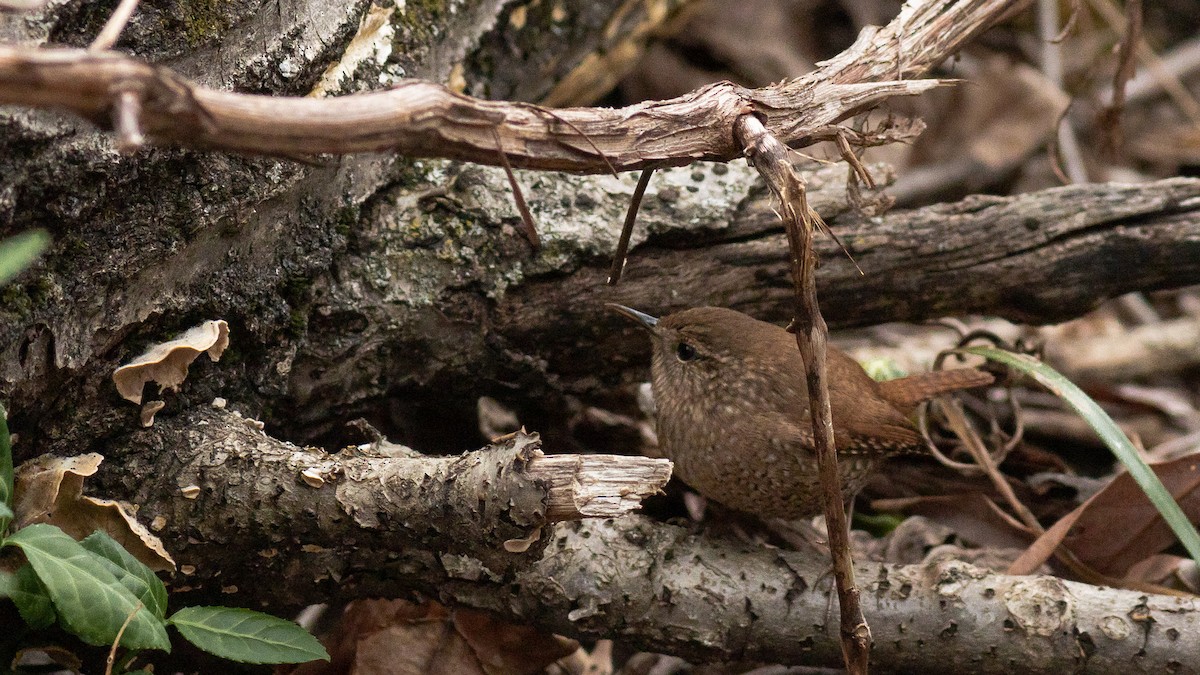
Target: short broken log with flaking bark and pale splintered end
(239,506)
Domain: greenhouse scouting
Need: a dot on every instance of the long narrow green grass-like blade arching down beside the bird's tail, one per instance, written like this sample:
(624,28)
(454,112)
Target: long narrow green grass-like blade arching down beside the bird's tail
(1109,433)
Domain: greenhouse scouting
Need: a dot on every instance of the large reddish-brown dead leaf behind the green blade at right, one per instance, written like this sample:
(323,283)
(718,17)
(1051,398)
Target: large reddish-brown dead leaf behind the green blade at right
(1119,527)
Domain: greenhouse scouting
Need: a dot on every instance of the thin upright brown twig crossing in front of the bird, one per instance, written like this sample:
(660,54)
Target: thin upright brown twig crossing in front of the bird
(771,158)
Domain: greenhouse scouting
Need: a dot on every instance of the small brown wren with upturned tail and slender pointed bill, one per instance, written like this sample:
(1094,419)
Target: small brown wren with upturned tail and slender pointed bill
(734,410)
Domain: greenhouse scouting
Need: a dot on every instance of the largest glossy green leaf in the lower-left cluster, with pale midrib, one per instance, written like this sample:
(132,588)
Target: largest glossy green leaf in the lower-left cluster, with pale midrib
(88,598)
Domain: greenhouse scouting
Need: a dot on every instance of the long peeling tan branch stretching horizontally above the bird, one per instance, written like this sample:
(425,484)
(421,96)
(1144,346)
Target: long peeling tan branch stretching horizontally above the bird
(419,118)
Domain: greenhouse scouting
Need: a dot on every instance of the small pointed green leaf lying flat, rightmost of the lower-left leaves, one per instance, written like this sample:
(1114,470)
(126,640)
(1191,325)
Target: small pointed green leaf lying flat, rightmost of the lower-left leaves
(247,636)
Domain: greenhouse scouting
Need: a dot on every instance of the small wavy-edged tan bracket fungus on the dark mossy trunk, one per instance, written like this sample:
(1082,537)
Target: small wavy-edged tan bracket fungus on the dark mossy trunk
(167,362)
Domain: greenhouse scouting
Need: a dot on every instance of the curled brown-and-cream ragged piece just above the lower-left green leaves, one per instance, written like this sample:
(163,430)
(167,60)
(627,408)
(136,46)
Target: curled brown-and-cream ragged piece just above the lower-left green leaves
(50,491)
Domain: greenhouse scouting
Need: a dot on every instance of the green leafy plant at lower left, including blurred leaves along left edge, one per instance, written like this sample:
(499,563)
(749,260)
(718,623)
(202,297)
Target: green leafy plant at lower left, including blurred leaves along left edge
(99,592)
